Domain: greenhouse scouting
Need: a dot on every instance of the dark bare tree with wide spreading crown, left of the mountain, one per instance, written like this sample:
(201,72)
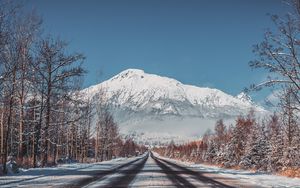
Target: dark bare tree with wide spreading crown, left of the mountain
(56,68)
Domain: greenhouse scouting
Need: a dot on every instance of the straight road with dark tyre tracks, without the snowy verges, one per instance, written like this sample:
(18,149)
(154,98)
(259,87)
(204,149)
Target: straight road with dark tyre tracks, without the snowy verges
(151,171)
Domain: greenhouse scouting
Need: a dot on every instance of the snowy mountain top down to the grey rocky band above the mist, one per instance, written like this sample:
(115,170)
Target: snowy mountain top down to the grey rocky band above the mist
(135,91)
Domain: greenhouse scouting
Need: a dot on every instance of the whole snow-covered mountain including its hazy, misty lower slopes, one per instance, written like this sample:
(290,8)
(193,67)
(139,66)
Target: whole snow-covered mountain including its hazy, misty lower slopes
(139,101)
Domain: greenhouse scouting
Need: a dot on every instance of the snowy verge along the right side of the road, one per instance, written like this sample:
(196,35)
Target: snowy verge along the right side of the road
(256,178)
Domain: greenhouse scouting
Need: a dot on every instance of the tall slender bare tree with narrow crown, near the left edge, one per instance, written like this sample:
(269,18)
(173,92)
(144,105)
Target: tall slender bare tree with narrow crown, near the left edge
(27,30)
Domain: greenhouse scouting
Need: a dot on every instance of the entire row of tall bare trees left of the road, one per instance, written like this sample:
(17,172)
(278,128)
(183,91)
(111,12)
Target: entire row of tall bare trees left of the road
(43,116)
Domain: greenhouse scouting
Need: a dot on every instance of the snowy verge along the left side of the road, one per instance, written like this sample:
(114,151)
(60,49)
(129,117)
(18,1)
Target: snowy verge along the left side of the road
(61,175)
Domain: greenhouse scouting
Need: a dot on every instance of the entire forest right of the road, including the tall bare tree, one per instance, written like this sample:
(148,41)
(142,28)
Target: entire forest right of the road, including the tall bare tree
(270,143)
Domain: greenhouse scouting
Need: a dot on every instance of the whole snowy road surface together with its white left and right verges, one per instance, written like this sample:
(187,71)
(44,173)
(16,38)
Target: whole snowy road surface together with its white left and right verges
(147,170)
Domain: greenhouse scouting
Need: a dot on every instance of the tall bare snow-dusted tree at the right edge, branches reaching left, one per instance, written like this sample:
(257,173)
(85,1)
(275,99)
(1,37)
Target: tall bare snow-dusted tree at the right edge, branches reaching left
(278,53)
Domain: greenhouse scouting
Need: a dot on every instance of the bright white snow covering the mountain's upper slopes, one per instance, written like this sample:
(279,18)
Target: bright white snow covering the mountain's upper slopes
(136,86)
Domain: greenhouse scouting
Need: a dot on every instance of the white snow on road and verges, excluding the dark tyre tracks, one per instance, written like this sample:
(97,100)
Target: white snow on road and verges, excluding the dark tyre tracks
(150,175)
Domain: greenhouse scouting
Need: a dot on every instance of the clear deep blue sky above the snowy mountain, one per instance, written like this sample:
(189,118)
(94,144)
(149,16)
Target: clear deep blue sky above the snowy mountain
(198,42)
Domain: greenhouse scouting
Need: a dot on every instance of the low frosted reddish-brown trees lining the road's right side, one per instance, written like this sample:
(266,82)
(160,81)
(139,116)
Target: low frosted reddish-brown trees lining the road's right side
(270,145)
